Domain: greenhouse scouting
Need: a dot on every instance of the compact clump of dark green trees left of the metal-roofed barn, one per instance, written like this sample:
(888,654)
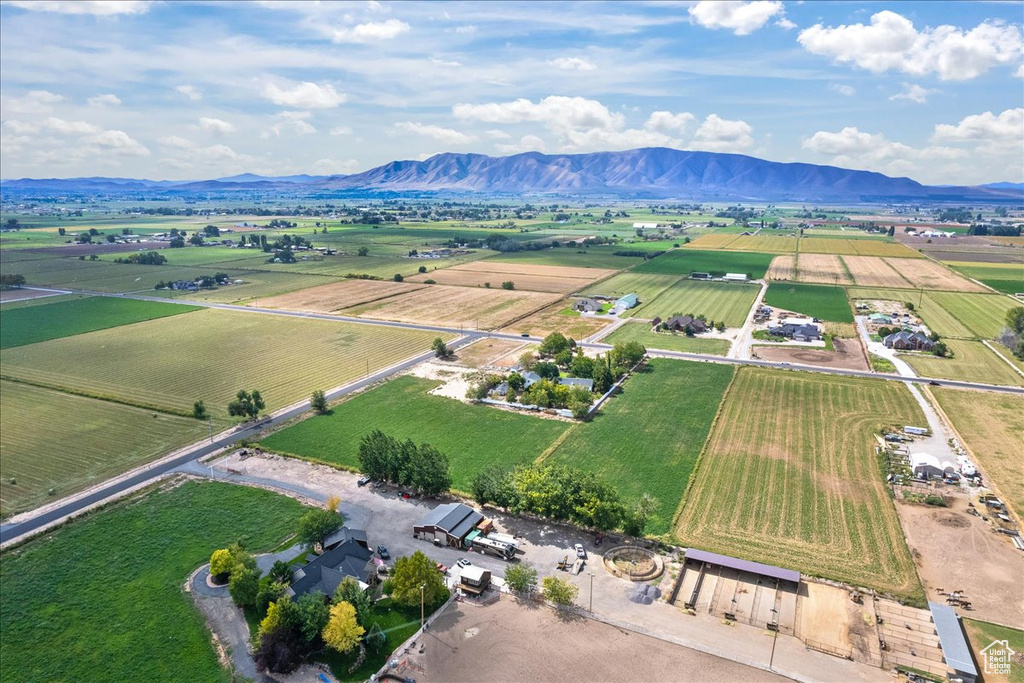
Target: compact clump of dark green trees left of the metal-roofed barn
(422,467)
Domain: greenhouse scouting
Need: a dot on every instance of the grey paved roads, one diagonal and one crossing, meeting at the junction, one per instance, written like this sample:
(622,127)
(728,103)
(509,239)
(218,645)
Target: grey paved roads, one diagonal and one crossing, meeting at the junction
(12,532)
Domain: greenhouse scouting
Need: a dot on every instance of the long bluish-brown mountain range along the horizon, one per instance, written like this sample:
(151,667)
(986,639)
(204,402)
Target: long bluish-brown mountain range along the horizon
(650,173)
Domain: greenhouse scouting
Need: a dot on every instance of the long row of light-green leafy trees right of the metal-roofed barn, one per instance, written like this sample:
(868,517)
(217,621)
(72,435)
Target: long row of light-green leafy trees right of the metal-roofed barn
(563,494)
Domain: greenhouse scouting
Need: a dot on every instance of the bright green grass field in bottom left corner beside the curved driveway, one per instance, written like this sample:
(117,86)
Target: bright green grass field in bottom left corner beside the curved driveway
(101,600)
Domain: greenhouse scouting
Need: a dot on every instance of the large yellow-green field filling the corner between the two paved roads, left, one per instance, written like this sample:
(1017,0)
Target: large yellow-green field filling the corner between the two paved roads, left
(161,365)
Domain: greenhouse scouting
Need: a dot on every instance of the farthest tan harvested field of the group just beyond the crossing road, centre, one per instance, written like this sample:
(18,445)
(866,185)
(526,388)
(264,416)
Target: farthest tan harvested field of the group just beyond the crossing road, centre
(524,276)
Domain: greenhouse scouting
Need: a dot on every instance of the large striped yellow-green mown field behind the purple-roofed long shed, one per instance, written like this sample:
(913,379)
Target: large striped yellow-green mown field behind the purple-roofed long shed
(790,478)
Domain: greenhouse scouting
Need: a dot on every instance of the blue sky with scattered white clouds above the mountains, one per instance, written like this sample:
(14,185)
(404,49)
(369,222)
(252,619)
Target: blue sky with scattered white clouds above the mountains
(932,91)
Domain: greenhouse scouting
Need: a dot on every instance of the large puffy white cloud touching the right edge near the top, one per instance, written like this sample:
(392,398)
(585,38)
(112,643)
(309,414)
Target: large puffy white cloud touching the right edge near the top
(891,42)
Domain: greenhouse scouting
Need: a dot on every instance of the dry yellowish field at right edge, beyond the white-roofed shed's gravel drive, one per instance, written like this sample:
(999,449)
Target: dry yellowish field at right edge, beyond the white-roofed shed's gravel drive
(993,428)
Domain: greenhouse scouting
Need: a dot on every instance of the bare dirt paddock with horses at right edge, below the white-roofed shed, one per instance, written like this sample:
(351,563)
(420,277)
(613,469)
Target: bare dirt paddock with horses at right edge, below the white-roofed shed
(958,551)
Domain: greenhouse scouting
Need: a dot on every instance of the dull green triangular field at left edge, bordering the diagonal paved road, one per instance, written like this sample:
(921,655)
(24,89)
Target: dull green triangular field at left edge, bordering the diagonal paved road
(69,443)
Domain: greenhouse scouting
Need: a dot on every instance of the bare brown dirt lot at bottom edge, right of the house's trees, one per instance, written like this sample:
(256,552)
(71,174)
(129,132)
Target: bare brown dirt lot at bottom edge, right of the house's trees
(513,643)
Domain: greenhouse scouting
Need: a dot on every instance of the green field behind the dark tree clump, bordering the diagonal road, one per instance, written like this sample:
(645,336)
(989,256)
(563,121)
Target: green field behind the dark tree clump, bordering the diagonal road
(473,437)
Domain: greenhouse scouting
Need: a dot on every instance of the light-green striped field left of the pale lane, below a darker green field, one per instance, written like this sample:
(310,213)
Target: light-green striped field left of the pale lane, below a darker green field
(730,303)
